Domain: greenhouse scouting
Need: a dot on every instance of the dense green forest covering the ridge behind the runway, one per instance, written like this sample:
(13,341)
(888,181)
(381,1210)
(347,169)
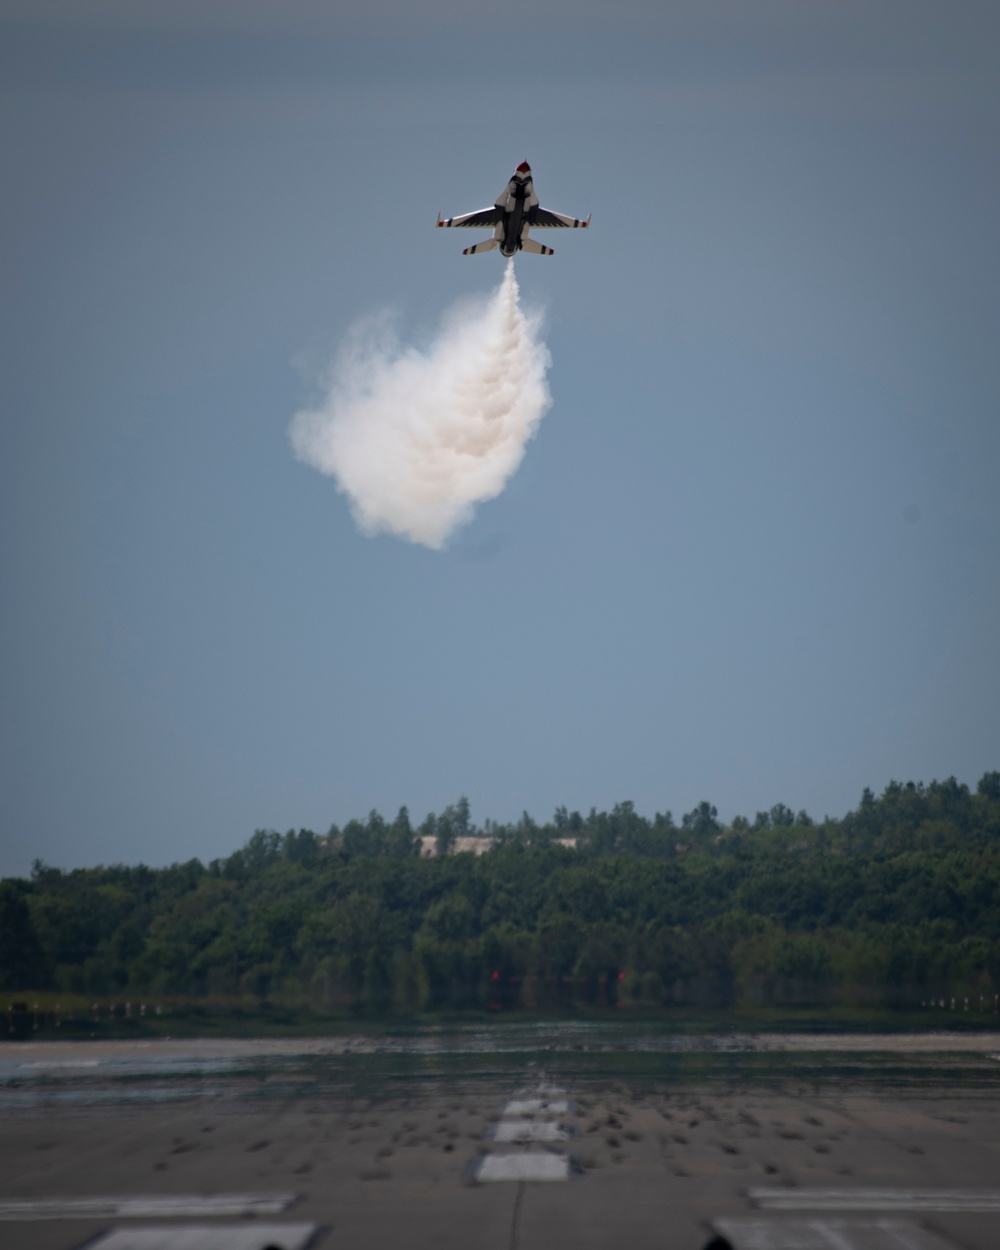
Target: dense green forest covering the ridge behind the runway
(897,903)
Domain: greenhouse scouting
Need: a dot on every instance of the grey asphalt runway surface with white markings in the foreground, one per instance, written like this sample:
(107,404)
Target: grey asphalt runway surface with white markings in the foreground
(434,1144)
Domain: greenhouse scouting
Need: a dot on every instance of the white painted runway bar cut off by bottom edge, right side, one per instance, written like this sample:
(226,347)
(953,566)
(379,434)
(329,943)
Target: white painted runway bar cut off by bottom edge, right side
(759,1234)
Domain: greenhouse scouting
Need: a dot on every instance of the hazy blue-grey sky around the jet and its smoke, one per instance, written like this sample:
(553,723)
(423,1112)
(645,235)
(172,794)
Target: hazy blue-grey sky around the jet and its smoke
(751,557)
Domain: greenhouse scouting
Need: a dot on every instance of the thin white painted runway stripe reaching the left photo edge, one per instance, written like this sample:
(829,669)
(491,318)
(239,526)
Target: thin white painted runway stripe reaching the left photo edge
(157,1207)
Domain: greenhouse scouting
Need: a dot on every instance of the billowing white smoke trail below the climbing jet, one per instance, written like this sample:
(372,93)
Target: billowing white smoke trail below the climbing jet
(417,439)
